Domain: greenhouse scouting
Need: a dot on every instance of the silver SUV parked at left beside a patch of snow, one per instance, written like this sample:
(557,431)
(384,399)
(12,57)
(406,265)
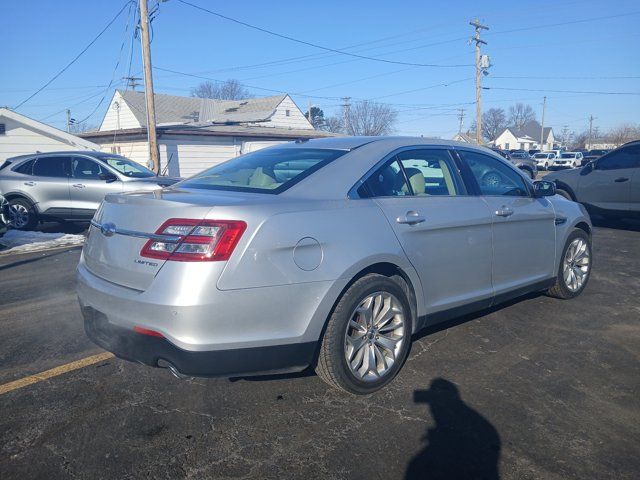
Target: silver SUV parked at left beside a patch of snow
(68,186)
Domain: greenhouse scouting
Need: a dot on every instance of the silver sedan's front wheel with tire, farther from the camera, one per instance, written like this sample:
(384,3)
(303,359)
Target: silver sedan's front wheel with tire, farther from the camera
(575,266)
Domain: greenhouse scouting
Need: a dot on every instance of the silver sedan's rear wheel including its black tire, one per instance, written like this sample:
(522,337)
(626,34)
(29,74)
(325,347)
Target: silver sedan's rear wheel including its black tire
(367,337)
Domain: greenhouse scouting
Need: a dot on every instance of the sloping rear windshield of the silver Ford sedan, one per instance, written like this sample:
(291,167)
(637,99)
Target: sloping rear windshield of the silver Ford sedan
(271,170)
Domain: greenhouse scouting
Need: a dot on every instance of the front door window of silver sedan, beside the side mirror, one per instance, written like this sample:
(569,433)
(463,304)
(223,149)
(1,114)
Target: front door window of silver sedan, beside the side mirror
(494,177)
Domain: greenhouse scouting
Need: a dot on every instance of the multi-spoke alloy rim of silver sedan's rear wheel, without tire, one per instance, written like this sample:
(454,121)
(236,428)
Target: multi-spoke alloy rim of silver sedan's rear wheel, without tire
(374,337)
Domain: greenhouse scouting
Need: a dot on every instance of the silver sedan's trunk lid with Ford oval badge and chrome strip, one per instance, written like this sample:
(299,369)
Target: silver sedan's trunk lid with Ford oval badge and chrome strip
(116,257)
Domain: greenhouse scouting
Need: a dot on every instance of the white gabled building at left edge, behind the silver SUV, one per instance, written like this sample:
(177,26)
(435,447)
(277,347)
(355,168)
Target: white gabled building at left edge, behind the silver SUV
(20,135)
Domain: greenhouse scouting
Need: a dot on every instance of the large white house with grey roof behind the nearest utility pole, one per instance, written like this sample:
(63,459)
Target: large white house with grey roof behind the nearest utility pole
(196,133)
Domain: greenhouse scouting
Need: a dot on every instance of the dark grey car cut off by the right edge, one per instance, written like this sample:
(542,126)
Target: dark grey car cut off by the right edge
(609,185)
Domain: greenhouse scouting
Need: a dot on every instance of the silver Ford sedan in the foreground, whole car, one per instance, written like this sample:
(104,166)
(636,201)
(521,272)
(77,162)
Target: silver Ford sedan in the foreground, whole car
(328,253)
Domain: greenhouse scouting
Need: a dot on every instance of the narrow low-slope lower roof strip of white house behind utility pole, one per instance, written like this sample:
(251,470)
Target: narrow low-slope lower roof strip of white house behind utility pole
(214,130)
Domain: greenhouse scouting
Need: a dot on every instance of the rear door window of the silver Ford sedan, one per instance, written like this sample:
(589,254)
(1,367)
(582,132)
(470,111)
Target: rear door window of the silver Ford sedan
(431,172)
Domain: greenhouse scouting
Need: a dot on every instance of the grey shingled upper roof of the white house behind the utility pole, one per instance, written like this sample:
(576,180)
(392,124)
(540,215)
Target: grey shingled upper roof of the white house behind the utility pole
(173,109)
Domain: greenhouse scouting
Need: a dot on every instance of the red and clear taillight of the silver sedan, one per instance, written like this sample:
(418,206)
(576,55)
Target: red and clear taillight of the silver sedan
(198,240)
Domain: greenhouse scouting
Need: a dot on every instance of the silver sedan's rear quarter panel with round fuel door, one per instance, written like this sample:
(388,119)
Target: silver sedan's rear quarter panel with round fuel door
(344,235)
